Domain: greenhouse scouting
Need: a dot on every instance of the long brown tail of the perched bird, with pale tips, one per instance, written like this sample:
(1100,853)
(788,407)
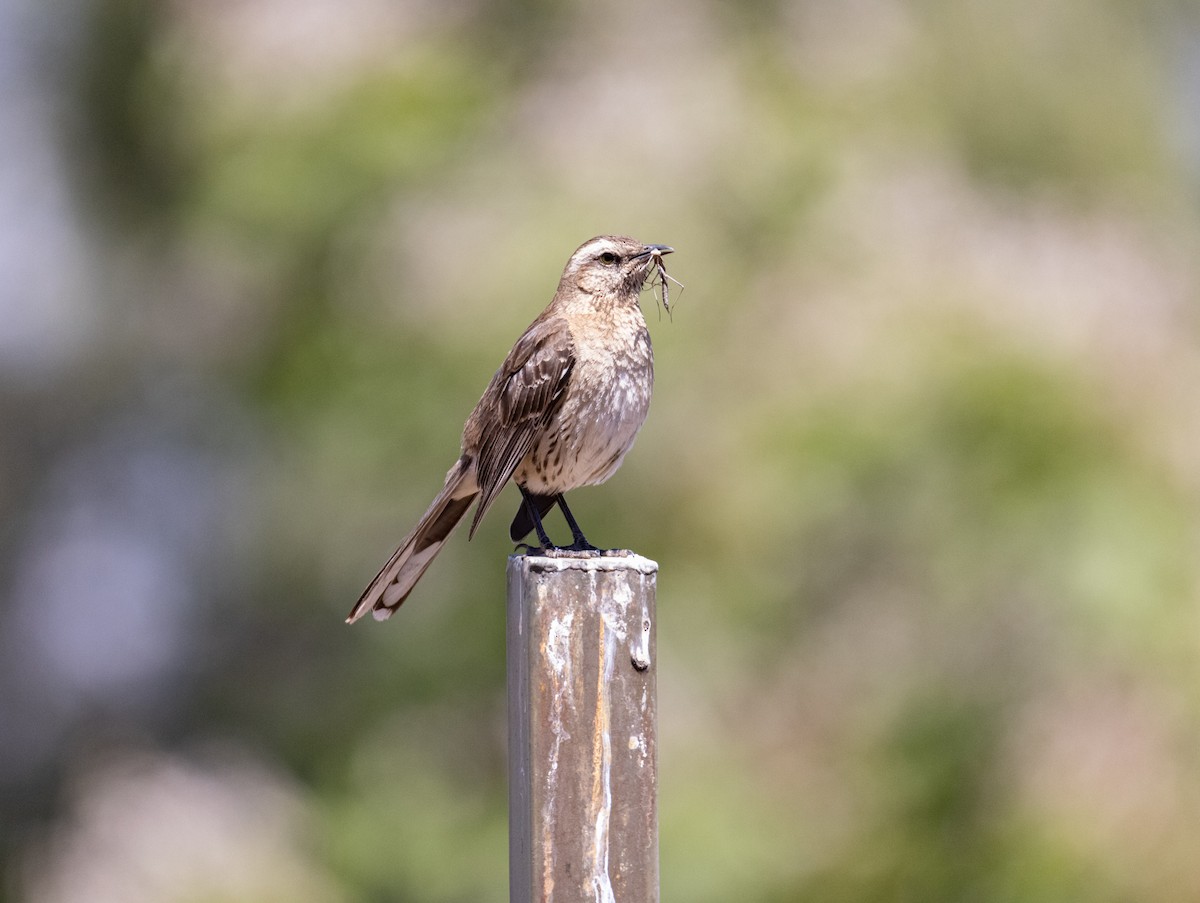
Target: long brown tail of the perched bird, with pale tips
(398,578)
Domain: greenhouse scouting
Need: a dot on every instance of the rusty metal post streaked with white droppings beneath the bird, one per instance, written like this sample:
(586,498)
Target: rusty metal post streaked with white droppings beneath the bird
(583,731)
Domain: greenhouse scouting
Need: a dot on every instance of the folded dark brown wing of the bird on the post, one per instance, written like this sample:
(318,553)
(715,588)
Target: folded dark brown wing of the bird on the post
(518,405)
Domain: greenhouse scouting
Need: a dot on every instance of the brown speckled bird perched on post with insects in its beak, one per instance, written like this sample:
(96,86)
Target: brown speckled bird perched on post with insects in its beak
(560,414)
